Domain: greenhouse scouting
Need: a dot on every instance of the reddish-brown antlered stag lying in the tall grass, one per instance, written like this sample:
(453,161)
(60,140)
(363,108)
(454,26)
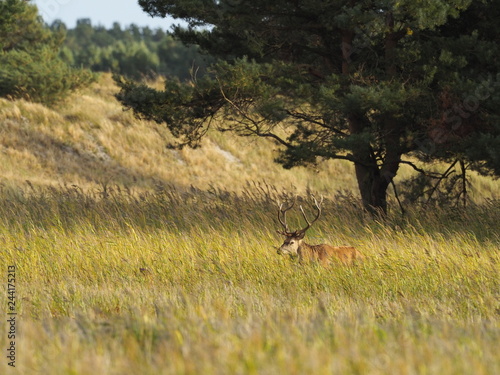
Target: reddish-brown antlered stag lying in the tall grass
(294,244)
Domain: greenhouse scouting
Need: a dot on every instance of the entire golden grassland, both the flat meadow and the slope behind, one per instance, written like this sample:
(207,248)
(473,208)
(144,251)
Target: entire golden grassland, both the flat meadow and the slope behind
(134,259)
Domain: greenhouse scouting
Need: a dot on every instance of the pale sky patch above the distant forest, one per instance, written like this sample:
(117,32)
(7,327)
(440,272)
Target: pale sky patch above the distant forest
(103,12)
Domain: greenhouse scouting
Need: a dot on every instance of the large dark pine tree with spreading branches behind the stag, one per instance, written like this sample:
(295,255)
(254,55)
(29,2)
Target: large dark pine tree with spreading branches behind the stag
(369,81)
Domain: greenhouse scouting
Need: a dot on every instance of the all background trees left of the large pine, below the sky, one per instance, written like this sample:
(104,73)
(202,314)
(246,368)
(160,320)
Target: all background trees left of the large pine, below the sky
(43,63)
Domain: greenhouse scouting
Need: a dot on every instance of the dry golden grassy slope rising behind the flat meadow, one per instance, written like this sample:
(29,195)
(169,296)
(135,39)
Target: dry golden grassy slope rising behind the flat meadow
(90,140)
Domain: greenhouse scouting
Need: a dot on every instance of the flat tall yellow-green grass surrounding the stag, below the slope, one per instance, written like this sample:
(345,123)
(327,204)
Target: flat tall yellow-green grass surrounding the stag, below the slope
(188,282)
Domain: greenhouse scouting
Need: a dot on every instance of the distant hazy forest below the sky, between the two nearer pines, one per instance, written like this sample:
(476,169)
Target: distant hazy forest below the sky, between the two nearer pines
(132,51)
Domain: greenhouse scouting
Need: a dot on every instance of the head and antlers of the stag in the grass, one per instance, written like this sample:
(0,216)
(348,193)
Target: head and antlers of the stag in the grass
(294,240)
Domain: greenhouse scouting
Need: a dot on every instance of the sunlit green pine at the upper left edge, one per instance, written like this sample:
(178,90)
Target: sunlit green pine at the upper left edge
(30,66)
